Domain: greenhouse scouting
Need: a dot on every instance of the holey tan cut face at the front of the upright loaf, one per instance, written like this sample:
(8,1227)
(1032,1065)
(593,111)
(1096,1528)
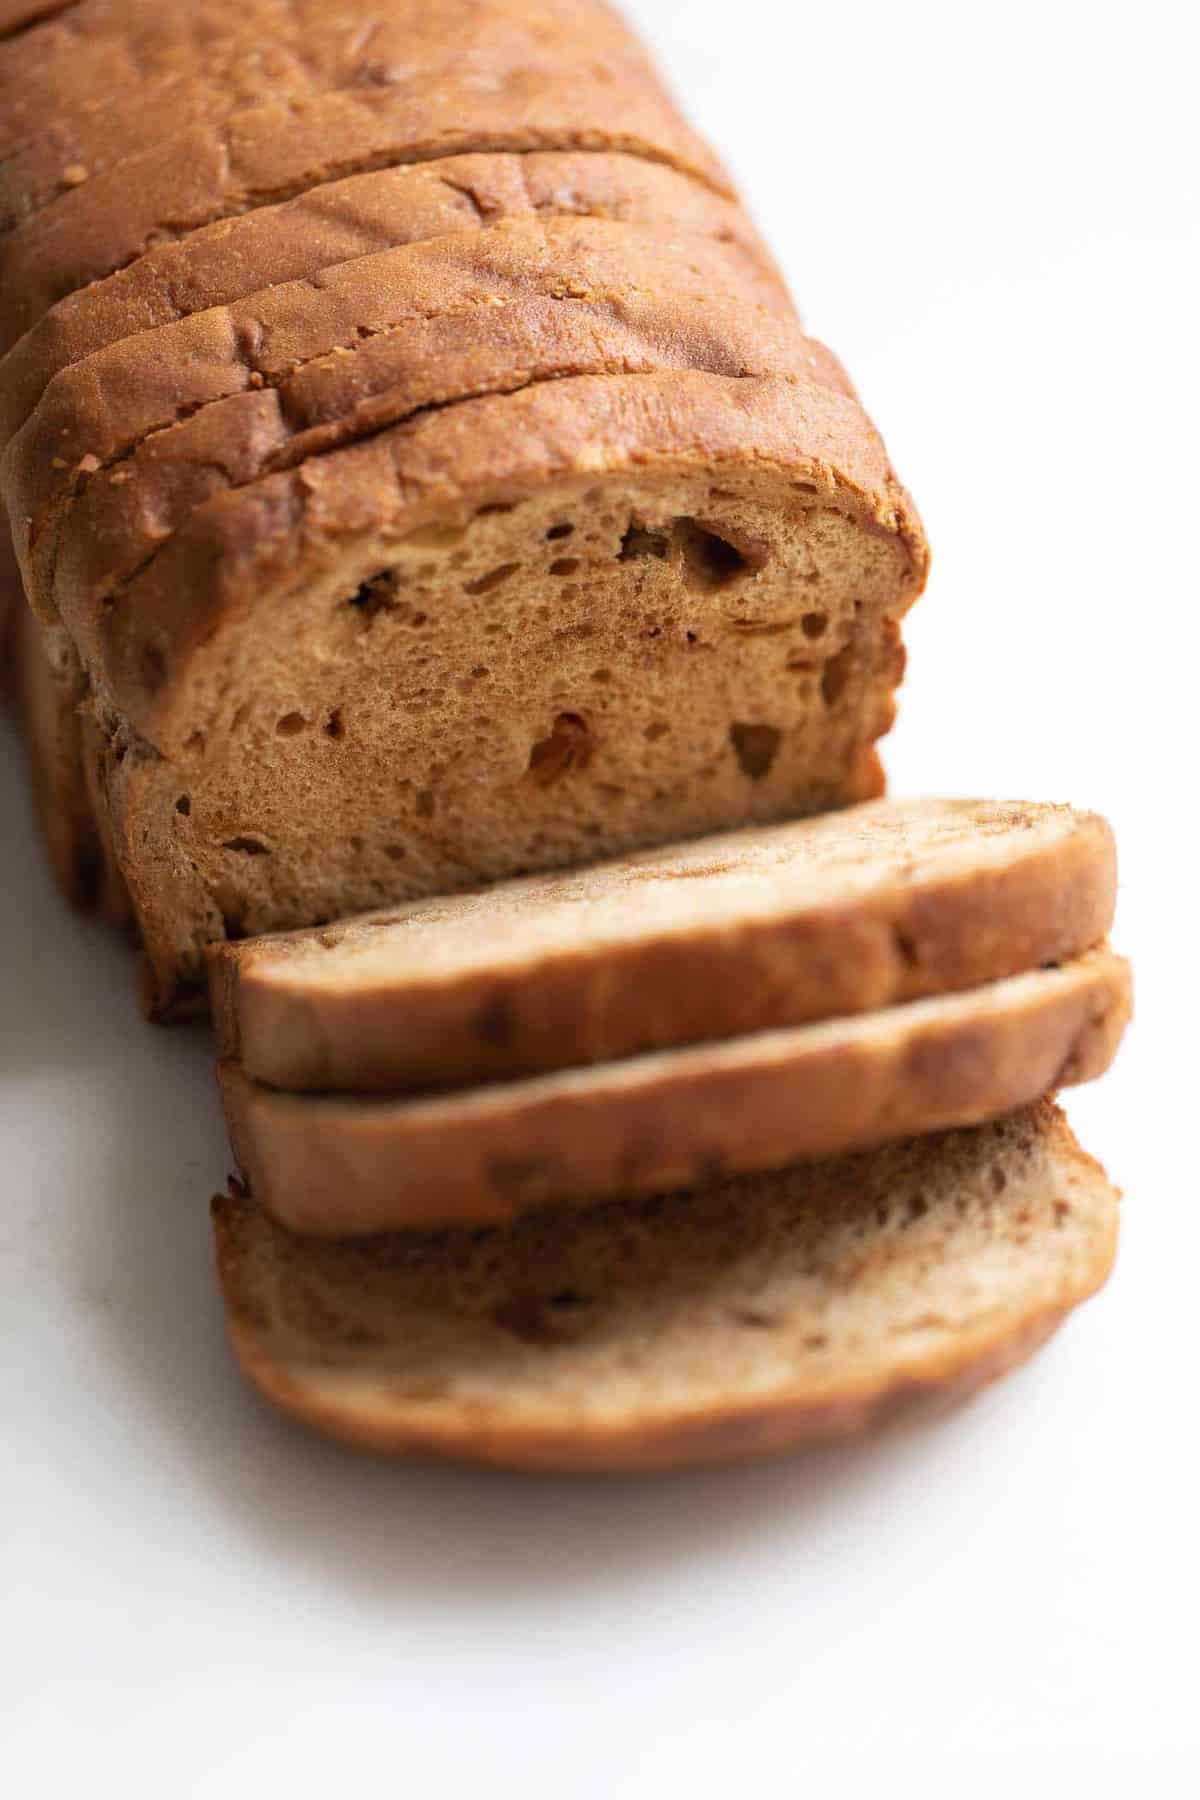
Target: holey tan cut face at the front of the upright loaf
(519,687)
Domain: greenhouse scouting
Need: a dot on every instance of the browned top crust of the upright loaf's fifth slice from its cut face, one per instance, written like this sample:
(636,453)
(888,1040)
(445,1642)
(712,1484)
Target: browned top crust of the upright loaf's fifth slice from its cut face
(262,156)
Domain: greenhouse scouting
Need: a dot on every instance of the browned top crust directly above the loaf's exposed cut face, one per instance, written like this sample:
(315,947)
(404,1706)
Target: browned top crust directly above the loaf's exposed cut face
(803,444)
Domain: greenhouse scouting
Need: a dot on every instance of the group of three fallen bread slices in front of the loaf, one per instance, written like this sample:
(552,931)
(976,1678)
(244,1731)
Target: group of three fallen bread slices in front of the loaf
(686,1156)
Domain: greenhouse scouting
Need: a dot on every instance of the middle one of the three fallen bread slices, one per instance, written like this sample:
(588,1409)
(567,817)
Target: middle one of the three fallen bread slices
(339,1165)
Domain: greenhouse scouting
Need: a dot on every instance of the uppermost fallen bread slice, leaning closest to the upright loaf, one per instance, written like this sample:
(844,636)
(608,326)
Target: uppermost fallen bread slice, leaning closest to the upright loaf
(728,935)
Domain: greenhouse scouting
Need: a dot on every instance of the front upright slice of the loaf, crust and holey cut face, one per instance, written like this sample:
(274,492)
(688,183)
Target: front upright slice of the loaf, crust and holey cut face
(514,634)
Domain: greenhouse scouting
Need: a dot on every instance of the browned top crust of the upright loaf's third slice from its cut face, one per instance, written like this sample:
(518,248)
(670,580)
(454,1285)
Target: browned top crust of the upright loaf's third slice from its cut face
(672,291)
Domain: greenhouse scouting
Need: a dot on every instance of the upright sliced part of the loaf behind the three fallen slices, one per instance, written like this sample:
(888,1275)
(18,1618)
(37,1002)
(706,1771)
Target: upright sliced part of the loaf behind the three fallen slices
(420,460)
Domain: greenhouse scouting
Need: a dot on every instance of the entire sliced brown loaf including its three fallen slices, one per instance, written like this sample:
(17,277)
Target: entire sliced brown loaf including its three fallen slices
(454,606)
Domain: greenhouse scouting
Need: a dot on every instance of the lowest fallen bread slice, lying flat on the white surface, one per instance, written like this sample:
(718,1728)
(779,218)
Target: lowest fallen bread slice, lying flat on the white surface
(708,1327)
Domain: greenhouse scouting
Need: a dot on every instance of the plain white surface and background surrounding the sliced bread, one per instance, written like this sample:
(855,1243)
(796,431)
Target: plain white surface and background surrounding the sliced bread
(989,213)
